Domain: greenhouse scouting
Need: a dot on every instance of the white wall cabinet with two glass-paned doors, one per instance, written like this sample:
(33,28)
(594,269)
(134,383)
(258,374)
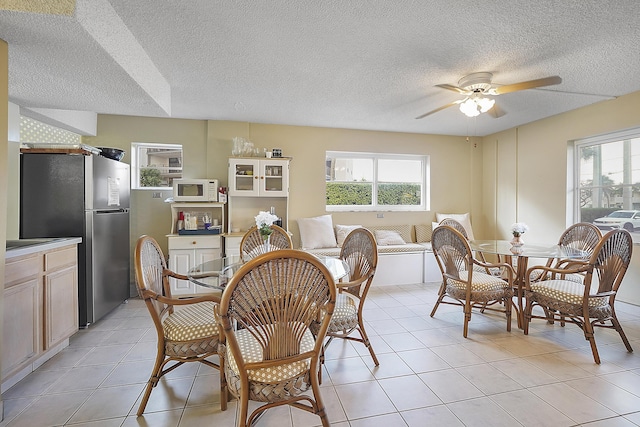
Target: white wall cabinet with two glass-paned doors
(251,177)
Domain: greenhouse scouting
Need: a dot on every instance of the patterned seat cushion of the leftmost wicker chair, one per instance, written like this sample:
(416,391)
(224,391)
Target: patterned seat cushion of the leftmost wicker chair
(191,322)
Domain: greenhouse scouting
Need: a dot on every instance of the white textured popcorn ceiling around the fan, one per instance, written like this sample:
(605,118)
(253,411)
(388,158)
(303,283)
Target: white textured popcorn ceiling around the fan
(359,64)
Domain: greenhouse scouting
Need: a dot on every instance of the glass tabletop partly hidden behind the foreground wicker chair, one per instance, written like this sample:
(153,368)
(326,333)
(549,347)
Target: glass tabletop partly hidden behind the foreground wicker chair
(216,273)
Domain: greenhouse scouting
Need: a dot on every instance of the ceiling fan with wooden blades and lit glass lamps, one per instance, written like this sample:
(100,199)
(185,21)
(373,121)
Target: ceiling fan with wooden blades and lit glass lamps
(476,86)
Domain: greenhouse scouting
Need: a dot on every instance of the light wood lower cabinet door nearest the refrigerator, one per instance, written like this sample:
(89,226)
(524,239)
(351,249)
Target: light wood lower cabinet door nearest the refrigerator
(60,305)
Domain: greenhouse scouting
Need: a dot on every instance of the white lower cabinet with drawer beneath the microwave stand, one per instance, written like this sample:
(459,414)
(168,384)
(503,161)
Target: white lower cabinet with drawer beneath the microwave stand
(186,252)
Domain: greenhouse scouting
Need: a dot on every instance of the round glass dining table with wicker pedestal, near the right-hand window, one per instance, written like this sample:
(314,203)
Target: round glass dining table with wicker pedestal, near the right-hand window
(507,252)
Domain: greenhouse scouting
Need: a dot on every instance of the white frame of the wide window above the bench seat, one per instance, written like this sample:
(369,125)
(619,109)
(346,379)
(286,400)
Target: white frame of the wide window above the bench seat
(375,207)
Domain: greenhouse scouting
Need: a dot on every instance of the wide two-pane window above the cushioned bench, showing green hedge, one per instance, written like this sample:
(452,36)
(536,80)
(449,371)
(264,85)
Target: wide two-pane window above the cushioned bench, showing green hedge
(369,181)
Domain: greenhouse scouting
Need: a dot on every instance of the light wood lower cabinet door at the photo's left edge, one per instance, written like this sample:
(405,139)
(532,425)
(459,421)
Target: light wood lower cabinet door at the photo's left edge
(21,332)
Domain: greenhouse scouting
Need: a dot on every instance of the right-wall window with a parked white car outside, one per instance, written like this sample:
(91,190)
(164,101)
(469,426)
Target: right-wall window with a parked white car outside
(608,178)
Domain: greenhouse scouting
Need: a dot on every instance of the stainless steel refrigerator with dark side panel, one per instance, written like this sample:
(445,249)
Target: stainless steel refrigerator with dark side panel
(63,195)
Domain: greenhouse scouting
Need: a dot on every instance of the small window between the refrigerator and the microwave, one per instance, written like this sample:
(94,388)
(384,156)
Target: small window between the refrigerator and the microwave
(155,166)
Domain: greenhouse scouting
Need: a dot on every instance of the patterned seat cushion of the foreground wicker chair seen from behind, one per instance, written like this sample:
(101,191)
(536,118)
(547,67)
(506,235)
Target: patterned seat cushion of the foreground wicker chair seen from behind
(252,352)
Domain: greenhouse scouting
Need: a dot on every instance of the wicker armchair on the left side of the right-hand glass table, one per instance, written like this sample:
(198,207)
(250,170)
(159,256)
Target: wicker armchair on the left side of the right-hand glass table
(463,285)
